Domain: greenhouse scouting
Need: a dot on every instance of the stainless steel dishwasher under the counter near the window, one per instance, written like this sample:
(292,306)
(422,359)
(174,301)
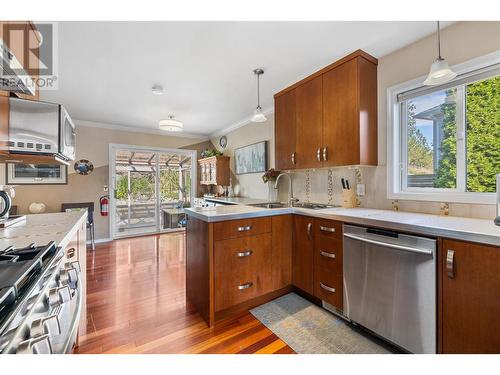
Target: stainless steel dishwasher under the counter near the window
(390,286)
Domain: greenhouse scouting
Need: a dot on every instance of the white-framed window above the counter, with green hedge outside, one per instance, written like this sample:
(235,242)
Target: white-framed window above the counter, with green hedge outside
(446,139)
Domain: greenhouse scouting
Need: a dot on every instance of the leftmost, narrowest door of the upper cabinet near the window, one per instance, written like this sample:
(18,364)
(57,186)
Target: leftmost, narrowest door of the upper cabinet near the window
(284,130)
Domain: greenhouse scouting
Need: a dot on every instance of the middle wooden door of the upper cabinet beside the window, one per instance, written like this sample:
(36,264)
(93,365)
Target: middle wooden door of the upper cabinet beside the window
(309,123)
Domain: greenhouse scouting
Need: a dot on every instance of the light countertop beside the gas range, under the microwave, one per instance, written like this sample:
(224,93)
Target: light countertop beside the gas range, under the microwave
(43,228)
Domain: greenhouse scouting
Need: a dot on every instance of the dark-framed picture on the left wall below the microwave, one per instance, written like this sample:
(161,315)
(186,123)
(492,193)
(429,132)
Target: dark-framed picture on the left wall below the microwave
(36,174)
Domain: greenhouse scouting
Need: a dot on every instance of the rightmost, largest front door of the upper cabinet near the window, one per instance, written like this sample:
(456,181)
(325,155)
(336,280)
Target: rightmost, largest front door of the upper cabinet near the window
(340,115)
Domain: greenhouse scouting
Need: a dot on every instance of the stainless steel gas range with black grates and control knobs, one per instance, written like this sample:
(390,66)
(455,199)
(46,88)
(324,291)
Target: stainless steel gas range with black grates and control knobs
(40,300)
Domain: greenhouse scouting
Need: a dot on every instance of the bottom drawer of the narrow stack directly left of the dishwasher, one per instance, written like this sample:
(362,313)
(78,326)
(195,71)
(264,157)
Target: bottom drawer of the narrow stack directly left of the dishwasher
(328,286)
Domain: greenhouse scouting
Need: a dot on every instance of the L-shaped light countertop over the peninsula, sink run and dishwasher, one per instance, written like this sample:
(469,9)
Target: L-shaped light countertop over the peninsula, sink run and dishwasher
(475,230)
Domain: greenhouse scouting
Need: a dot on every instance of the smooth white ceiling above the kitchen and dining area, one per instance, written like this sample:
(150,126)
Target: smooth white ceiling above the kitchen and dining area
(106,69)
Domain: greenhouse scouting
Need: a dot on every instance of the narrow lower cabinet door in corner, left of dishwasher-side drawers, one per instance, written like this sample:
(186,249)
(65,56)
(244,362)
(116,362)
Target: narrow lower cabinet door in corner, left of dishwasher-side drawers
(302,254)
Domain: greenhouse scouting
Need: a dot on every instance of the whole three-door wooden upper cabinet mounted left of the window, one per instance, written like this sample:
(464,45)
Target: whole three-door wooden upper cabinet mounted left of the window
(334,115)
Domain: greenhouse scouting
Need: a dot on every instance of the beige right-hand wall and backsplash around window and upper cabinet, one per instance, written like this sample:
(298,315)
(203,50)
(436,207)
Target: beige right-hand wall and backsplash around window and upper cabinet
(460,42)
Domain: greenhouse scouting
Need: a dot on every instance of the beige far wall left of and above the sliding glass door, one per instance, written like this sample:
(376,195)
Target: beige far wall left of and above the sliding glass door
(93,144)
